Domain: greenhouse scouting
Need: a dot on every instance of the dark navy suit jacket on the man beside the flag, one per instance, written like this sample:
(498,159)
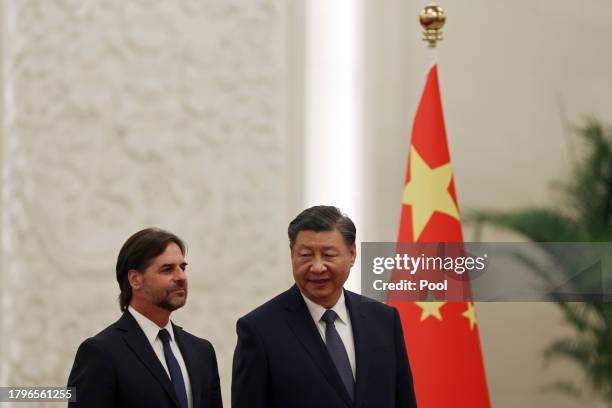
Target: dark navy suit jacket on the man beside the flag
(281,360)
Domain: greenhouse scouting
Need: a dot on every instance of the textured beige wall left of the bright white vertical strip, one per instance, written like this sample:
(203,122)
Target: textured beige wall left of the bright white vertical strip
(124,114)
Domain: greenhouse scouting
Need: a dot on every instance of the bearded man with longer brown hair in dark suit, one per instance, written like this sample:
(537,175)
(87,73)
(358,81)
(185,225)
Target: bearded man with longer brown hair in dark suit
(145,360)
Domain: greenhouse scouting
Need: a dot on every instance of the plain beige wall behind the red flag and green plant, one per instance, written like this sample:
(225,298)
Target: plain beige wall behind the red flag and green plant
(505,69)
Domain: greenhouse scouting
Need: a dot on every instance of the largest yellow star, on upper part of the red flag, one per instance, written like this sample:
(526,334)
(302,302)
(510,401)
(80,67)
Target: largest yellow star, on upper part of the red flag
(427,191)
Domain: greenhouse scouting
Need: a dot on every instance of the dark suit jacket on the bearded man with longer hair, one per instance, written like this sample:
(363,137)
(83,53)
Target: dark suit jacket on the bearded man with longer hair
(118,368)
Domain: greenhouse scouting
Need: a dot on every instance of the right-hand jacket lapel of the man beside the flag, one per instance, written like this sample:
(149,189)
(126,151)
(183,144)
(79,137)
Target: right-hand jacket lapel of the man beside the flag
(353,304)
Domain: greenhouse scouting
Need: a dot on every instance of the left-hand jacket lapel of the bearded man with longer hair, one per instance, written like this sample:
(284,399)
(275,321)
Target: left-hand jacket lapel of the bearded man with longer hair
(138,343)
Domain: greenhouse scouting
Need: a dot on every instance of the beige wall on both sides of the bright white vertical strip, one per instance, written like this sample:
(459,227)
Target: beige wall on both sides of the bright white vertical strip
(189,115)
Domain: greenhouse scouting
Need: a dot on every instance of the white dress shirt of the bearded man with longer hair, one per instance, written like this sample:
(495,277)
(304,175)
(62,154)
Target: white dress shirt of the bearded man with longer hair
(151,331)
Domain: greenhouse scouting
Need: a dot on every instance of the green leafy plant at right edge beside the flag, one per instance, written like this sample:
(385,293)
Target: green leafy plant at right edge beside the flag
(583,214)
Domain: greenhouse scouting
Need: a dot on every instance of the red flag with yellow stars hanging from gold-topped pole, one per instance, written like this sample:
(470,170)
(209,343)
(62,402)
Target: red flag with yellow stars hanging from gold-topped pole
(441,337)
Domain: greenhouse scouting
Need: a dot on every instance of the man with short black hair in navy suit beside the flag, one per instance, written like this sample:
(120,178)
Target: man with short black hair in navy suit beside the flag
(318,345)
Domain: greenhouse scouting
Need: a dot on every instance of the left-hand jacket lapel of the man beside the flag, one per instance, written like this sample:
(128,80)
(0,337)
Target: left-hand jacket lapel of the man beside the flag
(300,321)
